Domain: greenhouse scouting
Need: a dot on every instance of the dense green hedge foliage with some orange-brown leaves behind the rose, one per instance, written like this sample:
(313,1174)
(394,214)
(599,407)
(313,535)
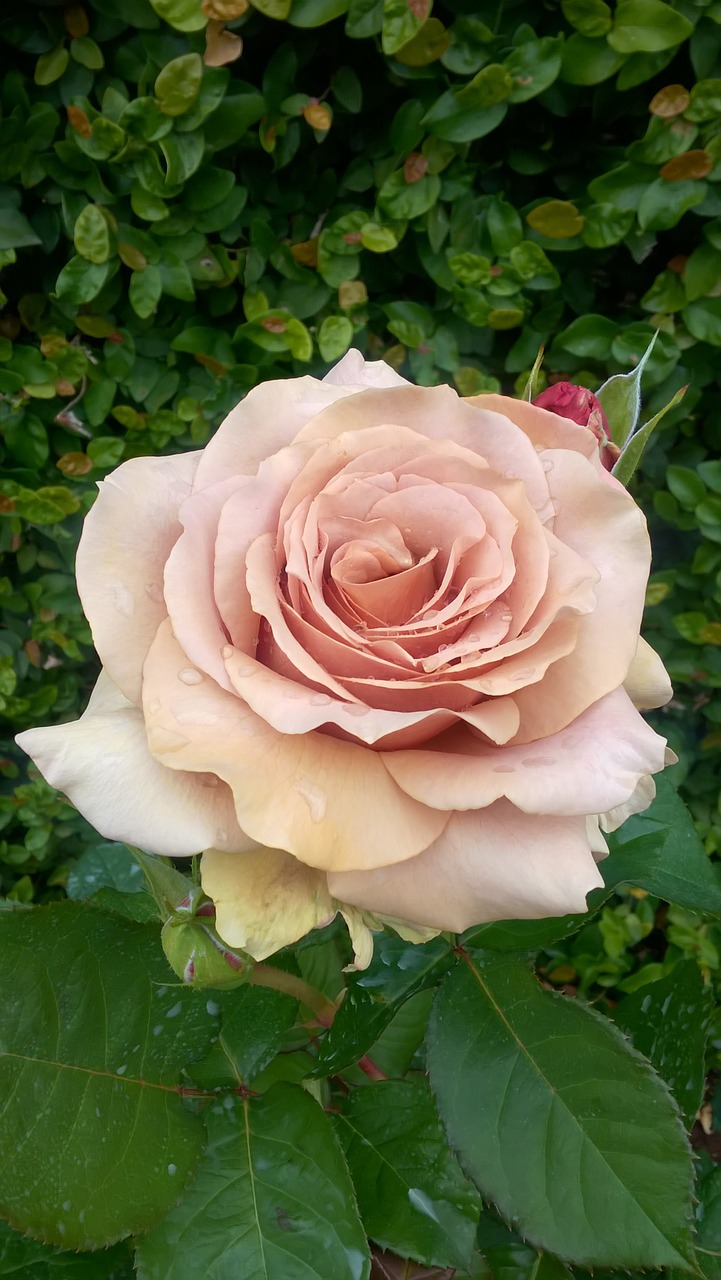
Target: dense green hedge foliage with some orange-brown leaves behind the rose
(198,198)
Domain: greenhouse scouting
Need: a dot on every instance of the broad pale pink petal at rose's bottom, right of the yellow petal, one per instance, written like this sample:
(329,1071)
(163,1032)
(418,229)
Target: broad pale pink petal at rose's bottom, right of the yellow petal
(495,865)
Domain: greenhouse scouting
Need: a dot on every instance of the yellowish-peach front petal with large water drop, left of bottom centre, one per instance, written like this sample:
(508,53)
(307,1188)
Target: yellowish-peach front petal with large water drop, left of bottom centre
(331,803)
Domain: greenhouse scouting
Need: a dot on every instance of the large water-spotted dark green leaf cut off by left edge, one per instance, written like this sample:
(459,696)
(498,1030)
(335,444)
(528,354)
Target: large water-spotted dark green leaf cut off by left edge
(102,1144)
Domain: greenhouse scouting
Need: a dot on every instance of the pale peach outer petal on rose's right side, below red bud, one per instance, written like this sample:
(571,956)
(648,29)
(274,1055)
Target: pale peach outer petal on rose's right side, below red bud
(608,531)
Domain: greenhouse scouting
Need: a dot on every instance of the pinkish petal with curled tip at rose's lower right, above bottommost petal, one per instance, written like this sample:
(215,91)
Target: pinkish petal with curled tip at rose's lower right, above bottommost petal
(590,767)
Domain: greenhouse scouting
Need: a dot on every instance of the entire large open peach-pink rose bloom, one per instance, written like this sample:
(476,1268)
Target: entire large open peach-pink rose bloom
(375,650)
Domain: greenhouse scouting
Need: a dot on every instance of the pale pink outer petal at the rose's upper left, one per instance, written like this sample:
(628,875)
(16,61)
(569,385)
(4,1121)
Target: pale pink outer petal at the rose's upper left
(270,418)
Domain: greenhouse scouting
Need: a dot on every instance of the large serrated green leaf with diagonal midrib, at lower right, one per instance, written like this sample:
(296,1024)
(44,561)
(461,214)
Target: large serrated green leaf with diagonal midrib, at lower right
(572,1136)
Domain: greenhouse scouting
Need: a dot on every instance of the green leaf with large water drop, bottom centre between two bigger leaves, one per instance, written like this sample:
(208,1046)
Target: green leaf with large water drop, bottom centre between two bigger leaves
(413,1196)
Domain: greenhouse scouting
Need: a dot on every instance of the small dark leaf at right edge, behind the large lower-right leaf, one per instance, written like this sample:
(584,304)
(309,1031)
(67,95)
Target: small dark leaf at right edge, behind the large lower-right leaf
(668,1022)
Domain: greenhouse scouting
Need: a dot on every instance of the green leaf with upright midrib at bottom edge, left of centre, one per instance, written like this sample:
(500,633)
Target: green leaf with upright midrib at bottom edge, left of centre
(272,1199)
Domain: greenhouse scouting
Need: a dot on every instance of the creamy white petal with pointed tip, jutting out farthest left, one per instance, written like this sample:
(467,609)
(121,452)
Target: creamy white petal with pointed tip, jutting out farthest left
(102,762)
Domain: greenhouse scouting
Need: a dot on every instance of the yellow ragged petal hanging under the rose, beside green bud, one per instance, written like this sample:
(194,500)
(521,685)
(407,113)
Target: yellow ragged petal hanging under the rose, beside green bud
(264,899)
